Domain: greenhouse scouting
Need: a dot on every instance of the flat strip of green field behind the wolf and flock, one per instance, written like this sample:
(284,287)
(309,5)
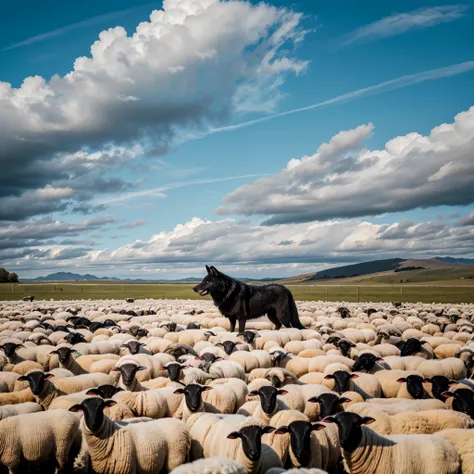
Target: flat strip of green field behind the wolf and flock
(353,293)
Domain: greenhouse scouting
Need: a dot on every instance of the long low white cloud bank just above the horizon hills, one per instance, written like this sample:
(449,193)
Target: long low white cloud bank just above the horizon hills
(286,248)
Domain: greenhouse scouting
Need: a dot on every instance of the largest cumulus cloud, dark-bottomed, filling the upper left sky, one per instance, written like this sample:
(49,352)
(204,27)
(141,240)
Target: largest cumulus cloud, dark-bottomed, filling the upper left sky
(191,66)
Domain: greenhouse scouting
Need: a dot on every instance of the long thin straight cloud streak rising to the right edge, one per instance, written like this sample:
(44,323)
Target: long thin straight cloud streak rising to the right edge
(398,83)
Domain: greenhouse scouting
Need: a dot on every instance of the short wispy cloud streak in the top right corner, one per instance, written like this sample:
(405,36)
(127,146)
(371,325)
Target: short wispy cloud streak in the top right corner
(400,23)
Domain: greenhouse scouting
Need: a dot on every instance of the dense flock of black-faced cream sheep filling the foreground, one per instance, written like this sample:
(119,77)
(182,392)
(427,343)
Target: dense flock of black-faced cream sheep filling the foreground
(142,387)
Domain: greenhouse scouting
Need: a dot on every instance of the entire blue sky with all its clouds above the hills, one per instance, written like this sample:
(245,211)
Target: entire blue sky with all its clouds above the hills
(169,149)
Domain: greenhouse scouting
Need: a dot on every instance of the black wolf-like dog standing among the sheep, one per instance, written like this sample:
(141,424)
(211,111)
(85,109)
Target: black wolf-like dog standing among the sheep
(240,302)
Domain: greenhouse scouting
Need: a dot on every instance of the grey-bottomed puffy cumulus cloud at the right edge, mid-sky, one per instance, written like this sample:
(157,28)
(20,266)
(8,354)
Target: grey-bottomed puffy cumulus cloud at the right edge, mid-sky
(345,179)
